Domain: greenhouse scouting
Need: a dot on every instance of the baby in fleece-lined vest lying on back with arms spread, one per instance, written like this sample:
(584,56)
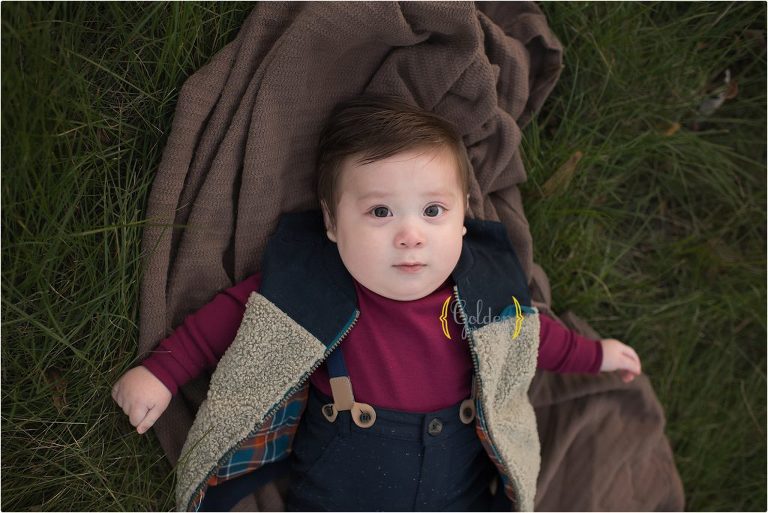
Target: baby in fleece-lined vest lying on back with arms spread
(382,356)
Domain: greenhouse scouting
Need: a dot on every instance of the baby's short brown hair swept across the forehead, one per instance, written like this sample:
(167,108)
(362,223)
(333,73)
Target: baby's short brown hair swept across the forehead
(375,127)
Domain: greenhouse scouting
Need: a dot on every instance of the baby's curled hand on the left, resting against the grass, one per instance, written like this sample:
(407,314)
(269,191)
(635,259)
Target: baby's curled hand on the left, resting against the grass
(142,397)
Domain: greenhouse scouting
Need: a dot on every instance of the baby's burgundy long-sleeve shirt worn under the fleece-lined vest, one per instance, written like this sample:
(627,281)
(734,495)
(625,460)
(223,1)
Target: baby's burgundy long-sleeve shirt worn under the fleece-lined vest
(398,354)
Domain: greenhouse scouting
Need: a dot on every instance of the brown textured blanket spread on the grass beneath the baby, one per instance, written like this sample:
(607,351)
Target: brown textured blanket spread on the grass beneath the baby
(241,152)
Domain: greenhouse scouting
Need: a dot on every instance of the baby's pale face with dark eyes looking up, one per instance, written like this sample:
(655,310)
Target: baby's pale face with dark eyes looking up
(406,209)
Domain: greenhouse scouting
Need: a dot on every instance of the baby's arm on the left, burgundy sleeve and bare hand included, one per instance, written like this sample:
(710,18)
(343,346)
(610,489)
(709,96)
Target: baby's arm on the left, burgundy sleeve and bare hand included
(144,392)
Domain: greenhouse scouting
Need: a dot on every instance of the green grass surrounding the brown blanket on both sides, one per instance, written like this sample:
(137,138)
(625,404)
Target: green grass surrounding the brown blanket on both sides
(658,240)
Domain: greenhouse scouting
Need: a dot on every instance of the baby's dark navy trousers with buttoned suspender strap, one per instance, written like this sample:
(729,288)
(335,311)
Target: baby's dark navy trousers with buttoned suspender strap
(348,456)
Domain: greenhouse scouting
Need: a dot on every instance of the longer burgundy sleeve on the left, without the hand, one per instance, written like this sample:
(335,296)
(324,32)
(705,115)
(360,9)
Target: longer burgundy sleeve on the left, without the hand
(200,341)
